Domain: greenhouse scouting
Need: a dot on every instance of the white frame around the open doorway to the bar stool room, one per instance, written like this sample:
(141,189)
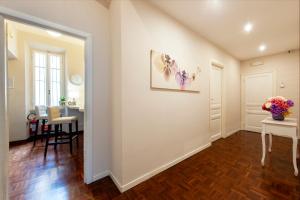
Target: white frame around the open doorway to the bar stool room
(13,15)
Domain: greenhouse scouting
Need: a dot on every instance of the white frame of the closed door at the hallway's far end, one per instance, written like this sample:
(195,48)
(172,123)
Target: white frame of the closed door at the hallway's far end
(243,101)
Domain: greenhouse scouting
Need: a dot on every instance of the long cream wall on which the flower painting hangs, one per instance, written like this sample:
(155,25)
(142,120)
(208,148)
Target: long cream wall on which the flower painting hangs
(159,126)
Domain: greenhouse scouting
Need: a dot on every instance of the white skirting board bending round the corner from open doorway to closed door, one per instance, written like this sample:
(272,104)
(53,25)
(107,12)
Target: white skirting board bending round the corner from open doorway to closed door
(148,175)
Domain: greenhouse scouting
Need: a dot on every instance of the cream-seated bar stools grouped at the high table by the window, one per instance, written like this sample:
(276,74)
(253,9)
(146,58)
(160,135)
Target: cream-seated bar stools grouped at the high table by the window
(55,126)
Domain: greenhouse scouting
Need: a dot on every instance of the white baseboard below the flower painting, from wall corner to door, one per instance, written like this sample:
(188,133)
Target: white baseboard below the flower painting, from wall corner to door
(148,175)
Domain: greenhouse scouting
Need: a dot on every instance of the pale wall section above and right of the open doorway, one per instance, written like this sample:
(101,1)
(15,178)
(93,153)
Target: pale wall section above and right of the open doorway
(90,17)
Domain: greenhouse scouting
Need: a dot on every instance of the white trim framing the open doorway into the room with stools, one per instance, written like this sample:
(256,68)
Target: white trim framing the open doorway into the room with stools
(5,82)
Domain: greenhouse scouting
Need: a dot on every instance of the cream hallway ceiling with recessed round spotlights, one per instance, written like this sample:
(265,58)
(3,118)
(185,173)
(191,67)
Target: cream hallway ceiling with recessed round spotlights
(275,23)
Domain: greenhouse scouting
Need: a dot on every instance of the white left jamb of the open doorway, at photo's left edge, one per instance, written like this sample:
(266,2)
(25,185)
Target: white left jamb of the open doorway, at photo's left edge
(3,114)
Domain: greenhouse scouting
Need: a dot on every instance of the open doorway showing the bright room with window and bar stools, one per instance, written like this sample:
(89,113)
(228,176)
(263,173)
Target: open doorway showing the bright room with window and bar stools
(41,67)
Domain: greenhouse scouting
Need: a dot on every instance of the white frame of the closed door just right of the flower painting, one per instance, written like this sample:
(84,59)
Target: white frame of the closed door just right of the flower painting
(214,63)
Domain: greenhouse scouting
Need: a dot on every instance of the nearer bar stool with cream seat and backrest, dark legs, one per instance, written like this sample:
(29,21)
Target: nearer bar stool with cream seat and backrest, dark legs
(55,119)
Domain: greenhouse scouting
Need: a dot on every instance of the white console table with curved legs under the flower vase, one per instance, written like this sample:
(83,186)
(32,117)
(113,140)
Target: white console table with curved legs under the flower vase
(286,128)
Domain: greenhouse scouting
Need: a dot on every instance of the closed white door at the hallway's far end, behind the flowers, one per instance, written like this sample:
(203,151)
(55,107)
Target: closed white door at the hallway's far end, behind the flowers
(257,89)
